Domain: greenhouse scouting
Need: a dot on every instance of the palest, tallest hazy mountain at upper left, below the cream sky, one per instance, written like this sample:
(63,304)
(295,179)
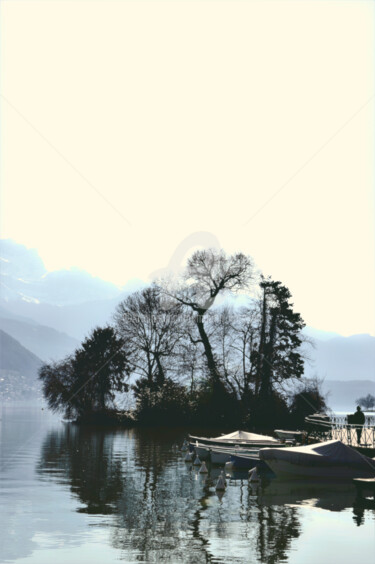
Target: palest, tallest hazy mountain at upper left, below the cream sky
(69,301)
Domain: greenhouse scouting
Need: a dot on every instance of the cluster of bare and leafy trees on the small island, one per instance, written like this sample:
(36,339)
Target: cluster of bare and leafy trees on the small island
(191,352)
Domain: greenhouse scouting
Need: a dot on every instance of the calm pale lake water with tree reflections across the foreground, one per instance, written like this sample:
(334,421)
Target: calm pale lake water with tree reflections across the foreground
(73,495)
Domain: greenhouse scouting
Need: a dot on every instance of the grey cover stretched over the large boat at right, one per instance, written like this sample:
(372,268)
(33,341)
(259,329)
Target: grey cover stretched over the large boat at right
(319,454)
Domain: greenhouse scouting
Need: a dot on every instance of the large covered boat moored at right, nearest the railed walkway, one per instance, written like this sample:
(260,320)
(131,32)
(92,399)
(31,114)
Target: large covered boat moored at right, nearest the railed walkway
(327,460)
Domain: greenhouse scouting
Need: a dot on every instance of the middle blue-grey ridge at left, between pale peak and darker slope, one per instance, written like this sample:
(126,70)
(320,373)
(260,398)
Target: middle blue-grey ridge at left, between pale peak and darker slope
(45,342)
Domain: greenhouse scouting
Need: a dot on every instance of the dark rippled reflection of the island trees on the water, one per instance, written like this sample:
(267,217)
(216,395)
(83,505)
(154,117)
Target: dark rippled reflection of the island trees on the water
(163,510)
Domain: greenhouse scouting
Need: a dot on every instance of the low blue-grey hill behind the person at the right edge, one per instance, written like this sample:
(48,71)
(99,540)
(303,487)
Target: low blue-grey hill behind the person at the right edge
(342,396)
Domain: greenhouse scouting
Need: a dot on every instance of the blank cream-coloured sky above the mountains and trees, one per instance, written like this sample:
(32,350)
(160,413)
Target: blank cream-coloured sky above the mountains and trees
(128,126)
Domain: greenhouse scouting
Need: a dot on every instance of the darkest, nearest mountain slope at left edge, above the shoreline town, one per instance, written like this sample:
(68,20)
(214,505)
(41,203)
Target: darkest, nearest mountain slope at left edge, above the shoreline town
(18,369)
